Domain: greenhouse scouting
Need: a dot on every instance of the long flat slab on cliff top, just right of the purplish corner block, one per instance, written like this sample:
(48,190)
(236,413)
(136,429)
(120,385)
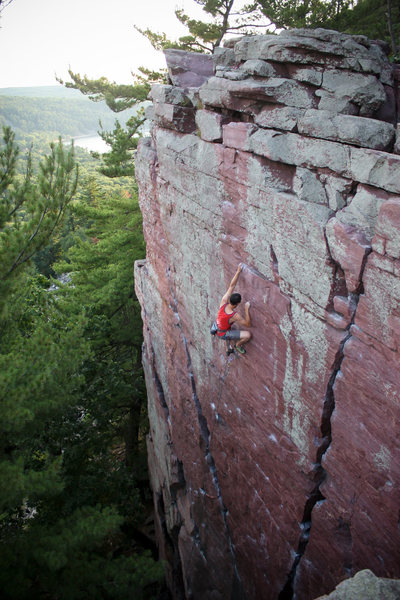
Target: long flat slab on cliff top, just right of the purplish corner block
(222,93)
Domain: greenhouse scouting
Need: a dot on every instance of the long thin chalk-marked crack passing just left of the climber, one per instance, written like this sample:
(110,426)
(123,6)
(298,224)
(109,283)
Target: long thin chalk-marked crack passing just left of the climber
(237,587)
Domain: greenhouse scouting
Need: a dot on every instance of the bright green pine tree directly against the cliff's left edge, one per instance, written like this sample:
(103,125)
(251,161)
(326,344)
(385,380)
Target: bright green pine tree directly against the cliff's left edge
(102,280)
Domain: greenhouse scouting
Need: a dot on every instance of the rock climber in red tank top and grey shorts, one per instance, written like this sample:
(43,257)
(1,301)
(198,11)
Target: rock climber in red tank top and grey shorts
(227,316)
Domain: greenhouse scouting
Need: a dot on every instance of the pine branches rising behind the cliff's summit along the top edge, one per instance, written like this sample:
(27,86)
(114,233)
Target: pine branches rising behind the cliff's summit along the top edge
(373,18)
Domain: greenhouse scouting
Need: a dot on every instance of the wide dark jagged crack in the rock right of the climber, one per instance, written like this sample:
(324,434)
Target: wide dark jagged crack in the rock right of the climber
(319,474)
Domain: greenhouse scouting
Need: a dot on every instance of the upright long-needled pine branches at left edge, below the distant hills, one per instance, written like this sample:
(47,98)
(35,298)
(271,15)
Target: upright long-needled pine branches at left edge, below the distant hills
(31,209)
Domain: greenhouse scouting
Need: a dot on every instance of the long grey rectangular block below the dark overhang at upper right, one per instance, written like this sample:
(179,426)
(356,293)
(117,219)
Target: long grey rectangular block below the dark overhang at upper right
(358,131)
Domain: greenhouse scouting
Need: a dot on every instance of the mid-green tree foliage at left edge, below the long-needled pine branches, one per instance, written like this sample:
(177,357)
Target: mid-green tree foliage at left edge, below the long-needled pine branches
(39,371)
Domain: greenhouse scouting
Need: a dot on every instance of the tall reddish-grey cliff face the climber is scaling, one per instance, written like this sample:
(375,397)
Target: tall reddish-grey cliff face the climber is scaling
(275,475)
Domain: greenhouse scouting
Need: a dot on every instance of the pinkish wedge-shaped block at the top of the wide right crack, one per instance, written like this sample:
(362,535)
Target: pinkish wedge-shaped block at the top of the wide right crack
(348,247)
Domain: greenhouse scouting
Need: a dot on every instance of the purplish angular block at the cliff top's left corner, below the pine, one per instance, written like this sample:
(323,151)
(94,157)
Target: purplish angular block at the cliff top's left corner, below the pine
(188,69)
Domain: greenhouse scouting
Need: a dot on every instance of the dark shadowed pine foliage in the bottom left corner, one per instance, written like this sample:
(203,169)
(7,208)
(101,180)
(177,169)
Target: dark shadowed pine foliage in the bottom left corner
(71,561)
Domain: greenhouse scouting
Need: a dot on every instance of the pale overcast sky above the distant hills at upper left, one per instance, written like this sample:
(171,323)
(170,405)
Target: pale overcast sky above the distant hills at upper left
(39,38)
